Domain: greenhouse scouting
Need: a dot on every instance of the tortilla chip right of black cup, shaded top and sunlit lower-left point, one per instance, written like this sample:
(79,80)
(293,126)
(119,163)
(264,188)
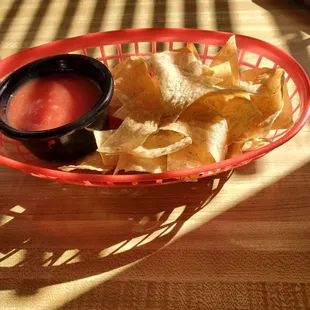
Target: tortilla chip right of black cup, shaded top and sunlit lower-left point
(132,133)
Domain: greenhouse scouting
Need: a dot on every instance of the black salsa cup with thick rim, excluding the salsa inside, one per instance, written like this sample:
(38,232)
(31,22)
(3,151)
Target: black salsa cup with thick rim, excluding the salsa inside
(73,140)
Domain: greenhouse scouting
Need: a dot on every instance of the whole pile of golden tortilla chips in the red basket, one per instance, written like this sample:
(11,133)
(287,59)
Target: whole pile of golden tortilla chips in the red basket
(187,114)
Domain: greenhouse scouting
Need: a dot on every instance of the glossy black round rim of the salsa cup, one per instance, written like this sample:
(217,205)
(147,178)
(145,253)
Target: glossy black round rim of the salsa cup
(82,122)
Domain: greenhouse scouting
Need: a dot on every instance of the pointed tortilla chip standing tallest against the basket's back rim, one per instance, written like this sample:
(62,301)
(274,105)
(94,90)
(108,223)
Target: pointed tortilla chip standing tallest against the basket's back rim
(229,53)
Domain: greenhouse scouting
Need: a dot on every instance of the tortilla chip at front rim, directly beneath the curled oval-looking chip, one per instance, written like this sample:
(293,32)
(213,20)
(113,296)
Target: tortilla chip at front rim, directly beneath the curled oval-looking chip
(128,162)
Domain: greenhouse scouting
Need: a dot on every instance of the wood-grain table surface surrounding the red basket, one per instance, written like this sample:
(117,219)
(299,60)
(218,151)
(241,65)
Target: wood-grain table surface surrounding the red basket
(241,241)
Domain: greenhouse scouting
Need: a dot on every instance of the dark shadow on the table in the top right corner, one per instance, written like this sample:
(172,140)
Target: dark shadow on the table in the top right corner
(291,19)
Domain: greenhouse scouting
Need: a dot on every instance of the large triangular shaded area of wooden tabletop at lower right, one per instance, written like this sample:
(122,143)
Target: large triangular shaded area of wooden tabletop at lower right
(254,256)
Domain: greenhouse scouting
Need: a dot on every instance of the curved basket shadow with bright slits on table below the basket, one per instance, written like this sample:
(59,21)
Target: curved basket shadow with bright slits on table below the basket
(62,233)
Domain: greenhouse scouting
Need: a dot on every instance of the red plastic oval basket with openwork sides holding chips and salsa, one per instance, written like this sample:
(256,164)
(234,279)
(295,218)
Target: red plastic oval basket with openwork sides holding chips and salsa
(112,47)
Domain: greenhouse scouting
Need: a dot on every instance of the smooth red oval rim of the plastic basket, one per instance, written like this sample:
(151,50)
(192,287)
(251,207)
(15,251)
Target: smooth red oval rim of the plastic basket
(136,178)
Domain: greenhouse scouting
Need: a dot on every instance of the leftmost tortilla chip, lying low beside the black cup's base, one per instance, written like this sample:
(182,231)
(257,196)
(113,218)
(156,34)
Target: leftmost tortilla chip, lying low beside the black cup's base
(91,162)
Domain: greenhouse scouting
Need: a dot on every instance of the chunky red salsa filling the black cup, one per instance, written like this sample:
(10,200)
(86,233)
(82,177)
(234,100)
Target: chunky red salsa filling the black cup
(52,101)
